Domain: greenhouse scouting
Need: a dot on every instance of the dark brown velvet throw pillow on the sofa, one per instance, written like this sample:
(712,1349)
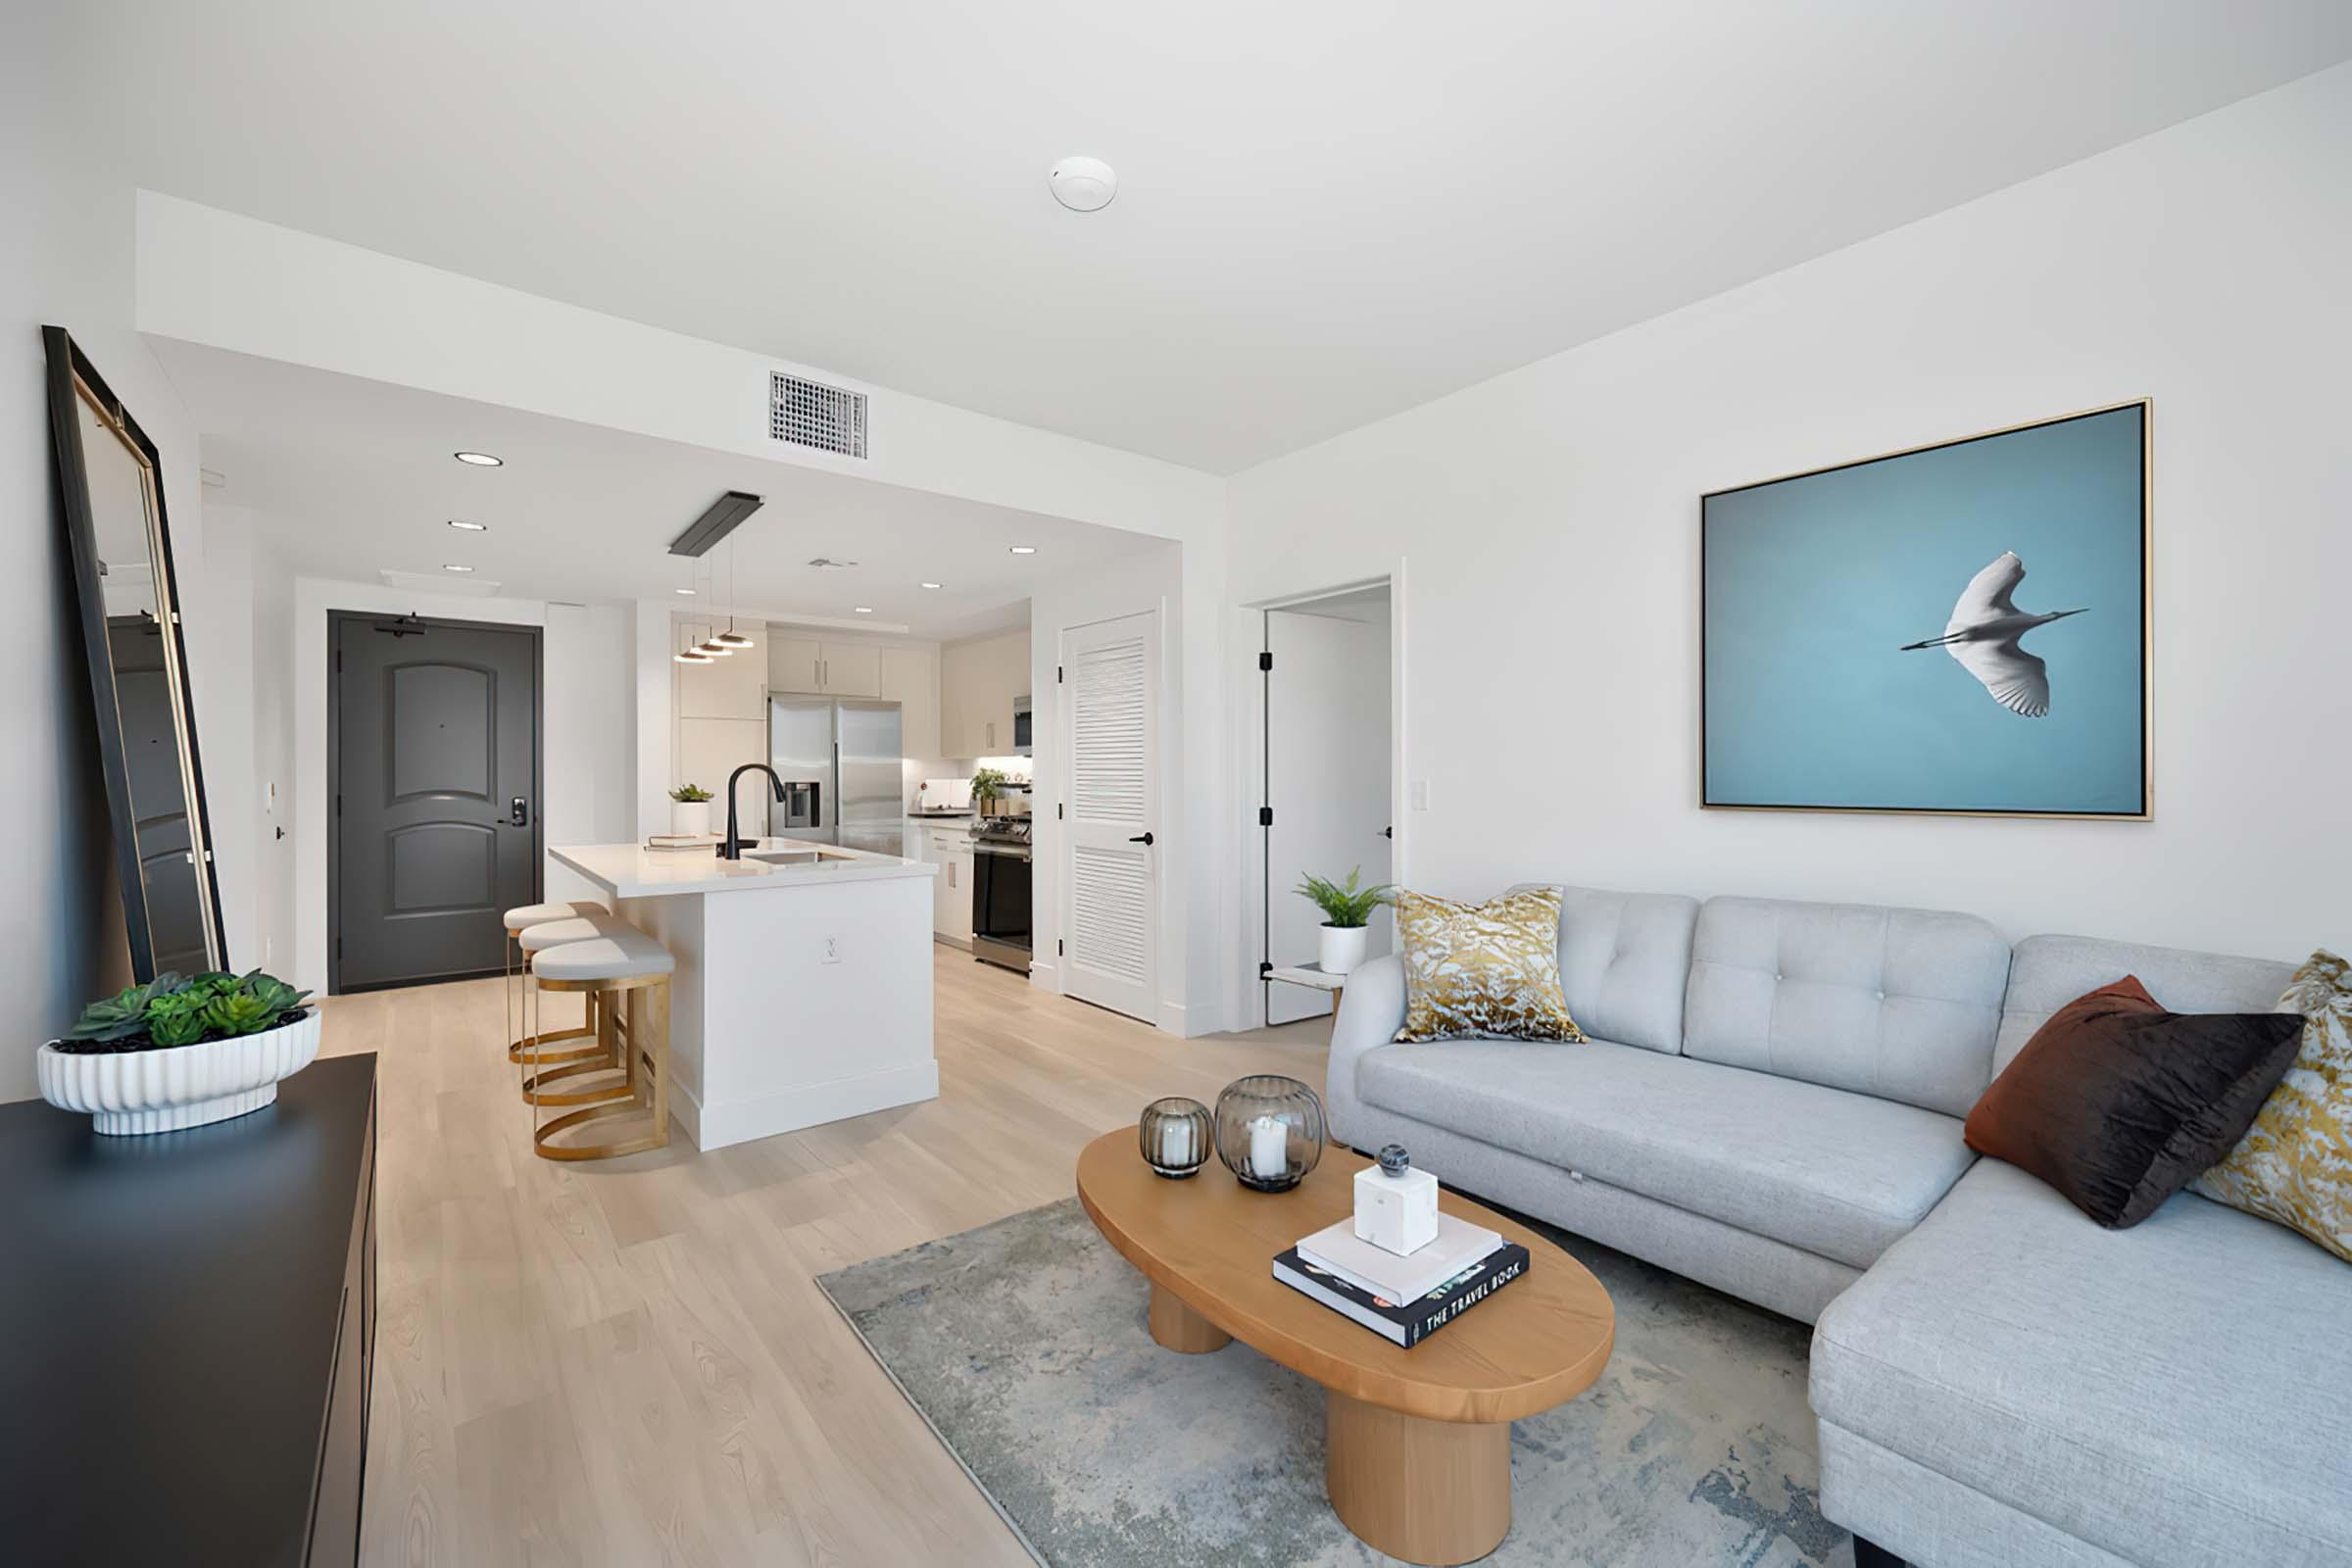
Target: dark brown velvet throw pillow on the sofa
(2120,1106)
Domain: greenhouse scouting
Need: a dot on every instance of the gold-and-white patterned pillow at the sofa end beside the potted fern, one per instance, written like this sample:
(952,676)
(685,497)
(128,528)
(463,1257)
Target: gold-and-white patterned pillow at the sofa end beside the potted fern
(1483,970)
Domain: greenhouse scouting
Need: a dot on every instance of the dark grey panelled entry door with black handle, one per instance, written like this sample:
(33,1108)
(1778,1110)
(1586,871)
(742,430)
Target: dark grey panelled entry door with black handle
(436,749)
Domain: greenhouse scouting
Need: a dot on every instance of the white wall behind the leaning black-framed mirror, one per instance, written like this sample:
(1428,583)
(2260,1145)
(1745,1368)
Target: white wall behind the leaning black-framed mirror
(67,253)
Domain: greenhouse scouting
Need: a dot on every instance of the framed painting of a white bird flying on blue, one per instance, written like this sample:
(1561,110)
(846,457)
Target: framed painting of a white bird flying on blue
(1956,629)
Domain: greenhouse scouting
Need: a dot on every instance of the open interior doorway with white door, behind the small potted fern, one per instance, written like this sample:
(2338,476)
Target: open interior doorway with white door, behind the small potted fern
(1328,768)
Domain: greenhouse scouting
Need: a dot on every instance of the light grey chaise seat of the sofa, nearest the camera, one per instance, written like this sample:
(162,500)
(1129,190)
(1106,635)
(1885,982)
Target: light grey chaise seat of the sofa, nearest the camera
(2170,1393)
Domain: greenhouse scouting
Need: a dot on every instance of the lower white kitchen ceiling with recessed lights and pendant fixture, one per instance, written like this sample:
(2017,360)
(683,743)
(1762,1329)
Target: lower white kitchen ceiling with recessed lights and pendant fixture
(354,478)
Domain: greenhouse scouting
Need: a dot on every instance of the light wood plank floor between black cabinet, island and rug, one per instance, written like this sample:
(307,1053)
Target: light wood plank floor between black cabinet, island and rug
(629,1362)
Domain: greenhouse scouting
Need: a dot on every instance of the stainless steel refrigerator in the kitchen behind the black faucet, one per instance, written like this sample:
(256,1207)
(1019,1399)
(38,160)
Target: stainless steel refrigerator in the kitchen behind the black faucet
(841,772)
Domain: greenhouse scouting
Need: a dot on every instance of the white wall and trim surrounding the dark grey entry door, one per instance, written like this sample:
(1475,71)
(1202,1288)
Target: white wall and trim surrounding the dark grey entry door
(587,730)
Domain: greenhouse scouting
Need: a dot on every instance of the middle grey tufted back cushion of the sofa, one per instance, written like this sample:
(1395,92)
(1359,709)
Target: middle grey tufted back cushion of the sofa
(1902,1005)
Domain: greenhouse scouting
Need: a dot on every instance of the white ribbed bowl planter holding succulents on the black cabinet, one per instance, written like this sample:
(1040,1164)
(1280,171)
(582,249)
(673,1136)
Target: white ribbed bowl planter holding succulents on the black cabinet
(173,1087)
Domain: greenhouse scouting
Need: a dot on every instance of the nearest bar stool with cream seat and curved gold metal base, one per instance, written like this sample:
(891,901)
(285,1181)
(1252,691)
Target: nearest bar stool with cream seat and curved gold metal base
(629,977)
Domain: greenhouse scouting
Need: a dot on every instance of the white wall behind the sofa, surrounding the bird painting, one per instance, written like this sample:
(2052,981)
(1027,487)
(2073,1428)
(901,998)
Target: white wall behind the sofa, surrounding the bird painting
(1551,528)
